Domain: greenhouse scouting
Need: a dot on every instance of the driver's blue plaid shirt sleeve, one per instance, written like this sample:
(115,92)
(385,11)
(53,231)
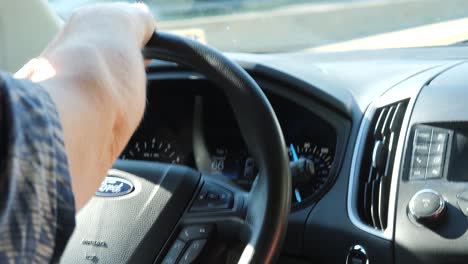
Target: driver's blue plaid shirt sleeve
(37,210)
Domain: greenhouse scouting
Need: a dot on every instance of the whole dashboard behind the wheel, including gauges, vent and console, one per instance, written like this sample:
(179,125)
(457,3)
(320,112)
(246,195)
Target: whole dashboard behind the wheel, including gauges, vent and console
(385,133)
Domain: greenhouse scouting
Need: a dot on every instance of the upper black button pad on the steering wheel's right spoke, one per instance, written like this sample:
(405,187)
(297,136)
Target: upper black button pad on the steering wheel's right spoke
(212,197)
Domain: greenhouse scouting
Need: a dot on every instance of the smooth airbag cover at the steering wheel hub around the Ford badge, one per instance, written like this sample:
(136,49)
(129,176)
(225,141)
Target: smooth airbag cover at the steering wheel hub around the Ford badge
(134,227)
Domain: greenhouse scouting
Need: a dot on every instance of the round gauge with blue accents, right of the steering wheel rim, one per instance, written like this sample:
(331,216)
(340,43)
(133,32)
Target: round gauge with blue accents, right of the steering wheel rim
(322,158)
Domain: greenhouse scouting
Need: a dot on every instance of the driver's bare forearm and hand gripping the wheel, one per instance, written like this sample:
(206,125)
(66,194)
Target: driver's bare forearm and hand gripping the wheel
(98,84)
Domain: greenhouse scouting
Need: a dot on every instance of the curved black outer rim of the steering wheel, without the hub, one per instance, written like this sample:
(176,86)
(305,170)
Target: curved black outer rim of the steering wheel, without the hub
(260,129)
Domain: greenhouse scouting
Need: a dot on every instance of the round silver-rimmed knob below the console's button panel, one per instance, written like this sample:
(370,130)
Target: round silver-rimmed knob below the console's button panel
(427,207)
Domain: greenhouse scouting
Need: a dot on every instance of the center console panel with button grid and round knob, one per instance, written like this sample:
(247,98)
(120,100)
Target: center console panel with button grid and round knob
(431,224)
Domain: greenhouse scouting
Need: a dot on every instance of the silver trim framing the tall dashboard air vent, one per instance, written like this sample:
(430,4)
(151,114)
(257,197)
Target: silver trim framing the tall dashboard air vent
(408,89)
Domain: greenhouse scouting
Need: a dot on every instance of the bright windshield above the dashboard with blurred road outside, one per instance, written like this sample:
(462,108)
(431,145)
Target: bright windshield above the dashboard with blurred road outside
(265,26)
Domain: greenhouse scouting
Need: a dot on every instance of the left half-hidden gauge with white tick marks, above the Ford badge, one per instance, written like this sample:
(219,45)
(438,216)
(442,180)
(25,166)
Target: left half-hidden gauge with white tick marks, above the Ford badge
(152,150)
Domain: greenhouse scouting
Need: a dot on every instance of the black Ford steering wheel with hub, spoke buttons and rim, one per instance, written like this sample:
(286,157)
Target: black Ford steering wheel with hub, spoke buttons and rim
(147,212)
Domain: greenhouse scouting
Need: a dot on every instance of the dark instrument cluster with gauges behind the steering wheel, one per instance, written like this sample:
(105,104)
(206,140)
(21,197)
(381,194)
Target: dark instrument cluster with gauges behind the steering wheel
(190,122)
